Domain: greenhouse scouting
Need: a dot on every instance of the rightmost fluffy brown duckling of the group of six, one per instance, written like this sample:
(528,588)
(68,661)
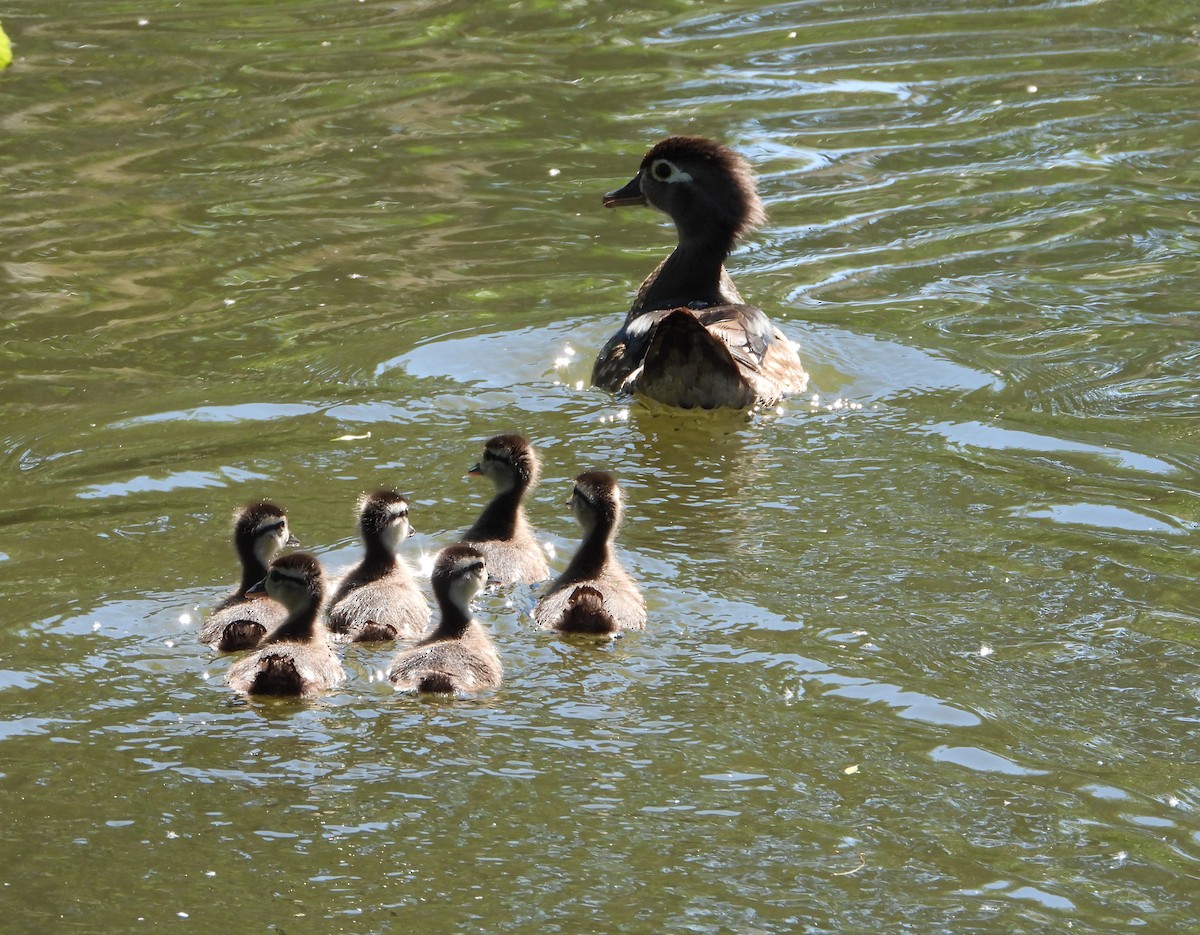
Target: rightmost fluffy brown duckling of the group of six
(595,595)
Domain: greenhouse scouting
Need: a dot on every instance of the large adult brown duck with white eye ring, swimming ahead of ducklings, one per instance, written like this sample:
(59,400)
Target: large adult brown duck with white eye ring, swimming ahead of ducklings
(691,340)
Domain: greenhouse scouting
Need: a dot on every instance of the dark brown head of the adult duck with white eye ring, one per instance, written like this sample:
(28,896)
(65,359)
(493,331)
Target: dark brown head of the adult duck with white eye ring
(706,188)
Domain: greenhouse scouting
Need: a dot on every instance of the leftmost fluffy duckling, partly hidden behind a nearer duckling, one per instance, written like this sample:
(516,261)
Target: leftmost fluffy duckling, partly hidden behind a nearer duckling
(242,620)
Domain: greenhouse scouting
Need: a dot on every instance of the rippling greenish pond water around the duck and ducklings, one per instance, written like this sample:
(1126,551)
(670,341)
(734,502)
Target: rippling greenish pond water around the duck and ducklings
(923,645)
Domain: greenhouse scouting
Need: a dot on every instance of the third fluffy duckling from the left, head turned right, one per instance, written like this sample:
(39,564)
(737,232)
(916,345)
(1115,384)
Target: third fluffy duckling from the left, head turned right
(379,600)
